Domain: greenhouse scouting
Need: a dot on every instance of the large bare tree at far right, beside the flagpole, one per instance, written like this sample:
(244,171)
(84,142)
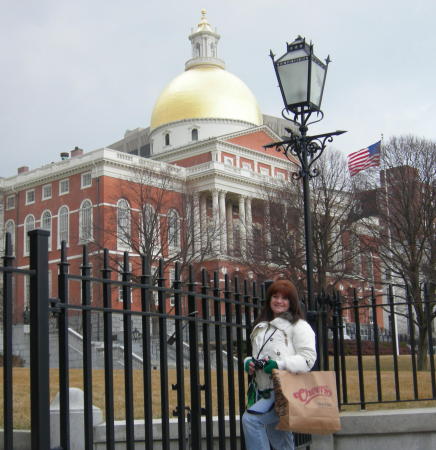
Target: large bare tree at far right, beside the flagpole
(405,233)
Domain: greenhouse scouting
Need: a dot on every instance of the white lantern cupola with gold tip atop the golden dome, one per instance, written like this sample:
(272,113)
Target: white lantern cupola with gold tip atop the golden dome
(204,43)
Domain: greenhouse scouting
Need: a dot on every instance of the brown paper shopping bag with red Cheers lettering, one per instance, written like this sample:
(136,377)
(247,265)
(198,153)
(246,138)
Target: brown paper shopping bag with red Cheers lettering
(306,402)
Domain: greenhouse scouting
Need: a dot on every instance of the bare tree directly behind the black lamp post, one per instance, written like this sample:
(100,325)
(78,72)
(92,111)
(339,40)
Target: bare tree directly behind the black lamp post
(278,239)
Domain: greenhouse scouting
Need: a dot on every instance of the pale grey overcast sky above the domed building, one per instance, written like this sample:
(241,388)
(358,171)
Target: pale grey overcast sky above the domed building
(82,72)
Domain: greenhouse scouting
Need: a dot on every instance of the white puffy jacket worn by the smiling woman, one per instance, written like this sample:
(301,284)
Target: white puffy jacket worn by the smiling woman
(292,346)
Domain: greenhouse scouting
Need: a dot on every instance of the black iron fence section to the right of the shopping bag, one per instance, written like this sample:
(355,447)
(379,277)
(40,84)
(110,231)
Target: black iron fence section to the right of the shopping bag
(382,347)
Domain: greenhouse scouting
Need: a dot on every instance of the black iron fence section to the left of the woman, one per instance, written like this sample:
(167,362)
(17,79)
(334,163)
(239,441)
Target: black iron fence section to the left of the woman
(205,371)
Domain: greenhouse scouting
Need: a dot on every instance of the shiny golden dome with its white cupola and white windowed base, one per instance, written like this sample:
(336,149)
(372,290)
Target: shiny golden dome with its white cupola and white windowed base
(204,97)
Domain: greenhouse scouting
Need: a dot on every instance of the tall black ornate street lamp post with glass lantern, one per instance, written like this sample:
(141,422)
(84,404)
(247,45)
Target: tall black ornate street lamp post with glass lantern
(301,77)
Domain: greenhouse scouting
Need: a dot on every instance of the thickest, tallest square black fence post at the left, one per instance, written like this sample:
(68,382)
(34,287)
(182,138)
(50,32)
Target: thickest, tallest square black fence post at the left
(39,342)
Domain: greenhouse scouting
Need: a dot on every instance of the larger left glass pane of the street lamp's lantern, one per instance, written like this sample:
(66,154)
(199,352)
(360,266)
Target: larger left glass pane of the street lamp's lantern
(293,77)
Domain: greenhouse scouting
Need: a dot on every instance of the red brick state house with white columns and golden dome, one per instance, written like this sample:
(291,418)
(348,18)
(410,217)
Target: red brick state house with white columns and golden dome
(205,142)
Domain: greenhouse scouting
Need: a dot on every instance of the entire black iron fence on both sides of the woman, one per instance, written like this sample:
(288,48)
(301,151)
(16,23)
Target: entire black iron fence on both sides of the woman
(185,364)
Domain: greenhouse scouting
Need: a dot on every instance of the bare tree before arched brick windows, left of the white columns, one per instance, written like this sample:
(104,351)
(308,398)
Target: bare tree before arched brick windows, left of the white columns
(155,218)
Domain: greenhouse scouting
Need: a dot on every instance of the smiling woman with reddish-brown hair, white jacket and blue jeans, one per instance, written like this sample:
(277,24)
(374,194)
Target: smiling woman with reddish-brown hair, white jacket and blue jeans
(282,340)
